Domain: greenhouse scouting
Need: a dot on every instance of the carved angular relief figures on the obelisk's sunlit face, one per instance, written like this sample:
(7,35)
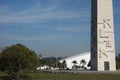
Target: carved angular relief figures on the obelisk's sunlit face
(105,32)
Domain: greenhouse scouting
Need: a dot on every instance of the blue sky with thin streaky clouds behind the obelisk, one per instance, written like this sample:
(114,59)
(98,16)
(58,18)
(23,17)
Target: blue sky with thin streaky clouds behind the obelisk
(50,27)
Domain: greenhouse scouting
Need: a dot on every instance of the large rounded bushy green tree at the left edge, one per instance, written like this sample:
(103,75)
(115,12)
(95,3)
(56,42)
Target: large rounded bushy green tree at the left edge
(17,58)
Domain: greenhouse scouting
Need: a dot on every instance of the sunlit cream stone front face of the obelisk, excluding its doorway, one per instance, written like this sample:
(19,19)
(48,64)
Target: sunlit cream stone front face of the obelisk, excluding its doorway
(105,35)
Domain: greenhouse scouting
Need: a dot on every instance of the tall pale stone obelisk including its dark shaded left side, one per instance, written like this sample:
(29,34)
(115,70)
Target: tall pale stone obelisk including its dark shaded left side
(102,36)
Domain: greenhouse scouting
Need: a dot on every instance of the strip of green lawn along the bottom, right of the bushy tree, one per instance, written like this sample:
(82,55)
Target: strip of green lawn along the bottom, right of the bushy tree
(68,76)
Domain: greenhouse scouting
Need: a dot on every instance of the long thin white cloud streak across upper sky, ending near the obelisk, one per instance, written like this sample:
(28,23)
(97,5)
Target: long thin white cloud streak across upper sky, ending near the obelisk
(41,17)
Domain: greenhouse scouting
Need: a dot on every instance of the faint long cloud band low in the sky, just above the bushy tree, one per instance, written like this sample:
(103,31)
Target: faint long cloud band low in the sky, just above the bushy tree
(46,37)
